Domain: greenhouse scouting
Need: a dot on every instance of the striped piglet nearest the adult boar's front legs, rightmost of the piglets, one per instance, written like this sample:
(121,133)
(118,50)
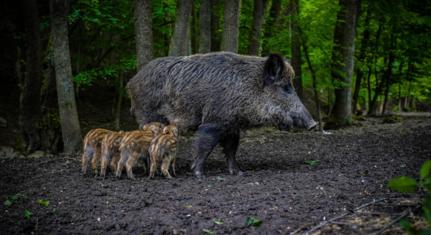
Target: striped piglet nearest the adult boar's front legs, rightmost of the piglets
(163,149)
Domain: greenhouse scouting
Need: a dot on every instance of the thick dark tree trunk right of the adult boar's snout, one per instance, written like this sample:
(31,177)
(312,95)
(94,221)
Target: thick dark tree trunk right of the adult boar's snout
(342,61)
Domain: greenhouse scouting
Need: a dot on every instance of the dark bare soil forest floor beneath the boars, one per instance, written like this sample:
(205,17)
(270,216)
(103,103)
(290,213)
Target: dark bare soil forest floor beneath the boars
(294,182)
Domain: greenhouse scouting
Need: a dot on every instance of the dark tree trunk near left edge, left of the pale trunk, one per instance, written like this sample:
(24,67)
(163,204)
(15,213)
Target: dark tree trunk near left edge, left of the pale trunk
(30,113)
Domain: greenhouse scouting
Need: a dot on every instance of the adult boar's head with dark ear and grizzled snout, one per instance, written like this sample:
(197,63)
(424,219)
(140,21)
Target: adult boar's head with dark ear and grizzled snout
(281,105)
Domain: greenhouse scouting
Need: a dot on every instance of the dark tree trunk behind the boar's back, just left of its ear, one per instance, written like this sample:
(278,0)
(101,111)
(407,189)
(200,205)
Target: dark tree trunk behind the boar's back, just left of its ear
(255,33)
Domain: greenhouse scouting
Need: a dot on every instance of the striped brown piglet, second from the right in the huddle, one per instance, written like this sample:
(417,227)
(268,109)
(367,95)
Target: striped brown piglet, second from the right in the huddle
(134,145)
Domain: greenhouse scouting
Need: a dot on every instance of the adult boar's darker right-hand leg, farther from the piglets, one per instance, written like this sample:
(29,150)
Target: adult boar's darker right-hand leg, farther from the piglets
(230,142)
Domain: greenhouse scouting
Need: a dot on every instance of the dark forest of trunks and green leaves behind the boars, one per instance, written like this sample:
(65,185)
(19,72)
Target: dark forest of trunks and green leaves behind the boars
(64,64)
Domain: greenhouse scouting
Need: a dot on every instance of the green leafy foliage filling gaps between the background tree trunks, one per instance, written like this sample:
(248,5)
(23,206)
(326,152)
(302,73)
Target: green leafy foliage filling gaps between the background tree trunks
(102,43)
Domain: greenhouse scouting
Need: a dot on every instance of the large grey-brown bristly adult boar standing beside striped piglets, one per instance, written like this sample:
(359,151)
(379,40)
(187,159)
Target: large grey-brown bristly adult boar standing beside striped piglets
(217,94)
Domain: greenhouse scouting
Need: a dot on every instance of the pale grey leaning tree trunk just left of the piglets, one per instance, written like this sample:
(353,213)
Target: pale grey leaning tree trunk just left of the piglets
(69,121)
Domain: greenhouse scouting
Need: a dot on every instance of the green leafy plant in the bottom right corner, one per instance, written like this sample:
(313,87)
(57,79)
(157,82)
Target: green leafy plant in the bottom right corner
(405,184)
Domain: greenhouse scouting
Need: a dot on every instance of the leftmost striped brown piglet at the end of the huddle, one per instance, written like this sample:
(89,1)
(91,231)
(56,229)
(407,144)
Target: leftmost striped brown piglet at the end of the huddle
(92,148)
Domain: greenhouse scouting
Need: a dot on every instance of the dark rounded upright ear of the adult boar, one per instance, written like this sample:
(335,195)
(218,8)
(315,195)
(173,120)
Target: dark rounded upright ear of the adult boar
(273,69)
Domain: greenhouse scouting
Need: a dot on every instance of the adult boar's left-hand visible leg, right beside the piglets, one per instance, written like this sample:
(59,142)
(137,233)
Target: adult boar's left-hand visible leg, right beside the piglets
(207,137)
